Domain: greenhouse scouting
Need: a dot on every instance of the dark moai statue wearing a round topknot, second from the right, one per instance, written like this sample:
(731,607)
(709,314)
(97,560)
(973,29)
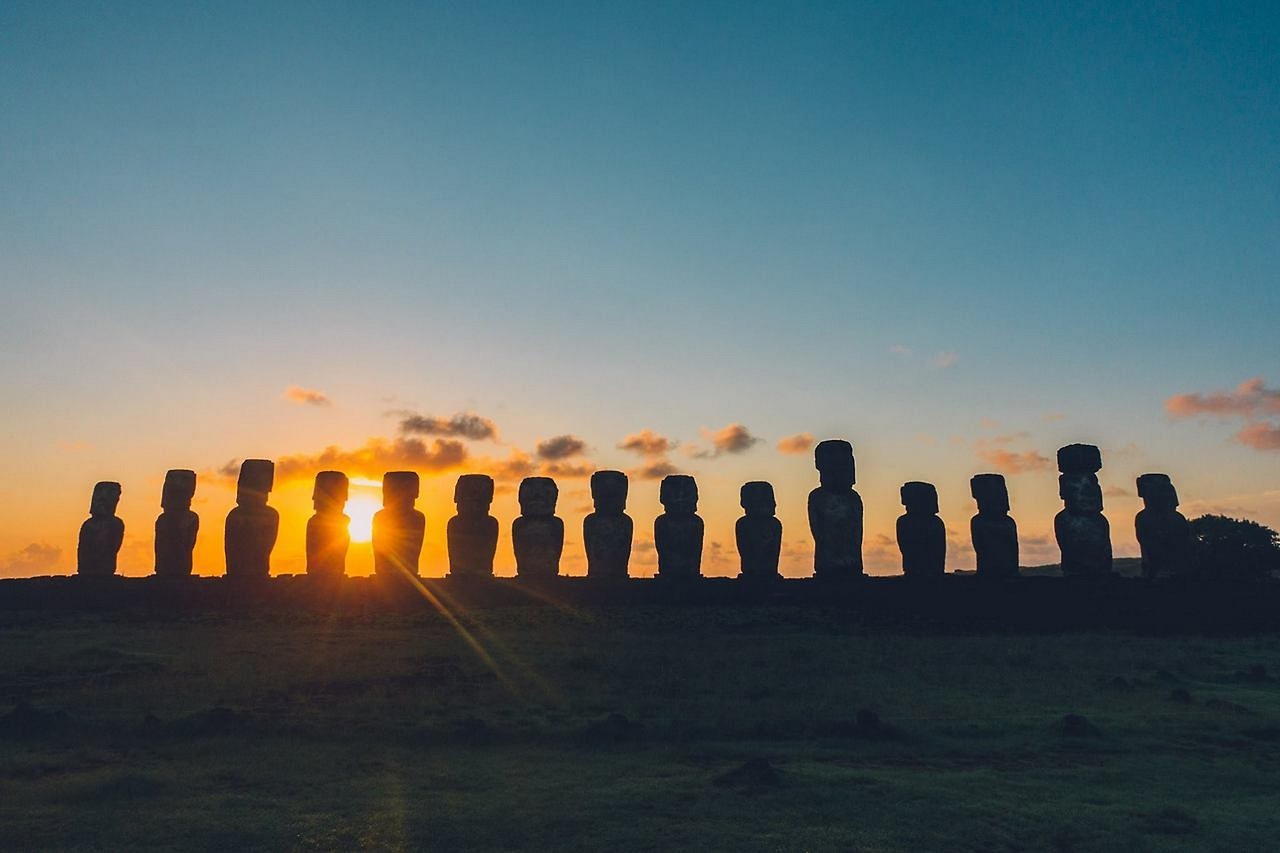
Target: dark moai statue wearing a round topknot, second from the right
(1084,533)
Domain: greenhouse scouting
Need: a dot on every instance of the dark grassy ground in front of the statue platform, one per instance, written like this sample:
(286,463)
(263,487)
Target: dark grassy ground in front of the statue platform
(720,728)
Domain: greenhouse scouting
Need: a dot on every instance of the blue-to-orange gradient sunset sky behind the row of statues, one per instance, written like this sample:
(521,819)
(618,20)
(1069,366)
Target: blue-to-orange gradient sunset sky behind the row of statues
(958,235)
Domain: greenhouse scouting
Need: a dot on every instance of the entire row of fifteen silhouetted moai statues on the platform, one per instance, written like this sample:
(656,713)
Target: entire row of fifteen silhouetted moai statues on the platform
(538,535)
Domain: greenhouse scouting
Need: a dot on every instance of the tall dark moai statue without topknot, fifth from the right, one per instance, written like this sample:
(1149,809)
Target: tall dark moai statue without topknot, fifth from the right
(836,514)
